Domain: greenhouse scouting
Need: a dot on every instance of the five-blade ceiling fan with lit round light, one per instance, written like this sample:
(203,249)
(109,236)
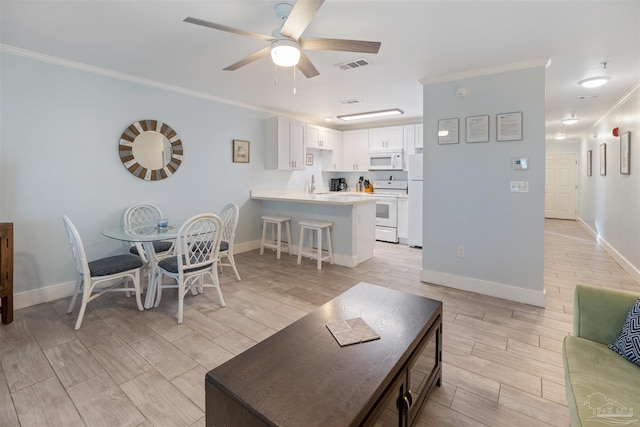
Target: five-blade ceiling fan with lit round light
(287,47)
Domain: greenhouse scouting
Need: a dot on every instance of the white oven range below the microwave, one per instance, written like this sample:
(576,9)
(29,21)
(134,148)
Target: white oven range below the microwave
(387,193)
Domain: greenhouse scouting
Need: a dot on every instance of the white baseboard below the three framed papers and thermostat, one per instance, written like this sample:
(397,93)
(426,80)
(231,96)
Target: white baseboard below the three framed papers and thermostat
(485,287)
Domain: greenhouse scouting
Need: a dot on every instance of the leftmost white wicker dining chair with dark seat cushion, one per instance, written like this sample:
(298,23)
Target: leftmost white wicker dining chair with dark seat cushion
(102,275)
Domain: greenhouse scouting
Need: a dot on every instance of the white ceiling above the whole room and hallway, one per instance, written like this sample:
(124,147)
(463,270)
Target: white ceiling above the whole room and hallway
(421,41)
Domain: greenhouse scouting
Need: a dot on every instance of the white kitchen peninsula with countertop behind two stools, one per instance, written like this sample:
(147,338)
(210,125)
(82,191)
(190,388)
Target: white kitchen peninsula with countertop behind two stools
(353,218)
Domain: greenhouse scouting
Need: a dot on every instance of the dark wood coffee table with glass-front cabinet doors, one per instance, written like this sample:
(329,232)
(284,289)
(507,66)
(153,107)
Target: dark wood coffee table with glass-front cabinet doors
(300,376)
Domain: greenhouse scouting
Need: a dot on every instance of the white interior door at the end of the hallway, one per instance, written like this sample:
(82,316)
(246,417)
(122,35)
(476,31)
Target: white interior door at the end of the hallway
(560,186)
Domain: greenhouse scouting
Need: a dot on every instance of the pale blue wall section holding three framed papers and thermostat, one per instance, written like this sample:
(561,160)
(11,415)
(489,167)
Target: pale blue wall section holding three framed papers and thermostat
(467,188)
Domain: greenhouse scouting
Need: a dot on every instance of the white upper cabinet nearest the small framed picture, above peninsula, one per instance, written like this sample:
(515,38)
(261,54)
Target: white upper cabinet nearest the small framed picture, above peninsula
(285,144)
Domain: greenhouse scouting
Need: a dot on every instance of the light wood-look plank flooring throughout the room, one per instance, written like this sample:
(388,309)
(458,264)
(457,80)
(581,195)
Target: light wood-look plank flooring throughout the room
(502,364)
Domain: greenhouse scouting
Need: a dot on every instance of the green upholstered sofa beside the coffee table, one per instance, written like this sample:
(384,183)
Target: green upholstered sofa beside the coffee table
(603,388)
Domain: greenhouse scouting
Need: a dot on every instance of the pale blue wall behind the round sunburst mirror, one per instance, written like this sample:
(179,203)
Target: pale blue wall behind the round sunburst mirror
(59,154)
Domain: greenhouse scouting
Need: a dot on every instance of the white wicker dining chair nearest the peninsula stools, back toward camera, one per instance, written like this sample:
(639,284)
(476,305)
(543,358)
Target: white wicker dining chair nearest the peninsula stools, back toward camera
(197,247)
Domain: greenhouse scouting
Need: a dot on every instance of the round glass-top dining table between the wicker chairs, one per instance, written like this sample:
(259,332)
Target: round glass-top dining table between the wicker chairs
(145,235)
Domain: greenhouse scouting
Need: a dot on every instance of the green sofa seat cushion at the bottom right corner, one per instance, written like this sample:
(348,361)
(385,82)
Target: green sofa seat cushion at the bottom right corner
(599,381)
